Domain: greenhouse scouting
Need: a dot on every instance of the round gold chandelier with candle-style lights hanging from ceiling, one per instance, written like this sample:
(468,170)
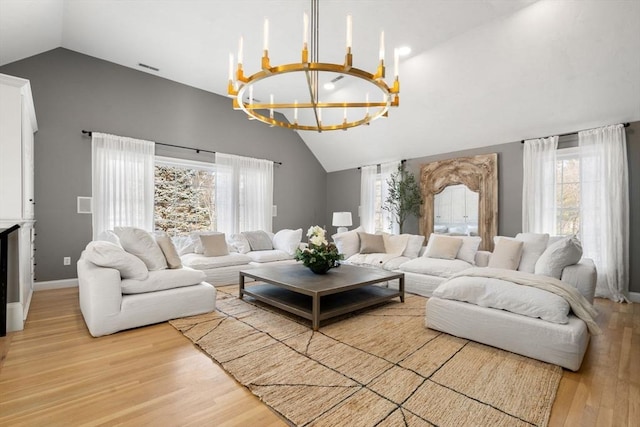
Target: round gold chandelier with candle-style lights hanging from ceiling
(357,108)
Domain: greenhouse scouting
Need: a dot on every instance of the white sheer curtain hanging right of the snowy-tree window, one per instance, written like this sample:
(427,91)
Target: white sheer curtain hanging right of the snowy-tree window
(244,193)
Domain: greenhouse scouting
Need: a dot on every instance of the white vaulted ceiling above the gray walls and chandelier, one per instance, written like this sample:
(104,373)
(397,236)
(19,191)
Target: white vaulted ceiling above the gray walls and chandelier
(481,72)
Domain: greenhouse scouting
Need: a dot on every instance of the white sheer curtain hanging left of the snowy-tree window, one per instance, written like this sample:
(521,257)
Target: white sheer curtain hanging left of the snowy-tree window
(122,182)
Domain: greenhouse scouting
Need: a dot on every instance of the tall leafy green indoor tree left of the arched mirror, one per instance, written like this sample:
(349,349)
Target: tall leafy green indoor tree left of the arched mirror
(404,197)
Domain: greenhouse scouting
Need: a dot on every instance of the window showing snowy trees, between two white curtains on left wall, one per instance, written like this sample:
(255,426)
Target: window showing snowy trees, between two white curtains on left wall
(184,196)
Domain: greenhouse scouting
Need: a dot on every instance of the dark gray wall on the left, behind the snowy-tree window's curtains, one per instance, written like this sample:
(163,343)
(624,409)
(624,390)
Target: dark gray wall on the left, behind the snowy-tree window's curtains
(72,92)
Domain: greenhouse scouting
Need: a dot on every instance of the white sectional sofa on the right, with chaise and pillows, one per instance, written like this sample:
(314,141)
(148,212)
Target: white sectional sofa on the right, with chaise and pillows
(502,314)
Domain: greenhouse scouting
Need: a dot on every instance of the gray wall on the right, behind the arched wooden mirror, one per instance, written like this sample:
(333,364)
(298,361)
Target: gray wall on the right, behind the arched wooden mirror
(343,190)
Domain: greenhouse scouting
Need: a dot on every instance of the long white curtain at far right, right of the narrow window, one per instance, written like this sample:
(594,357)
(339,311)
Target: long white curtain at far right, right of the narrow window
(604,208)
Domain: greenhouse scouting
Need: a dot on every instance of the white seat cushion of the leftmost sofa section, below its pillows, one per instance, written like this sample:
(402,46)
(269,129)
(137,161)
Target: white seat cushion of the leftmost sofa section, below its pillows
(160,280)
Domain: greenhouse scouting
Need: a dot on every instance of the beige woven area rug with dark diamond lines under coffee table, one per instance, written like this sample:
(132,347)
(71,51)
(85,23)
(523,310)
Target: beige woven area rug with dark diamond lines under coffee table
(379,367)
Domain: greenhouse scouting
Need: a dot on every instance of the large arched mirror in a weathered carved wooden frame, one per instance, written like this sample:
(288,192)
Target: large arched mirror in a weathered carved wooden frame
(457,183)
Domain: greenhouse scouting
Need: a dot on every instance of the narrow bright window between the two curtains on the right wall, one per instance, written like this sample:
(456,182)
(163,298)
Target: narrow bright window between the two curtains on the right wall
(567,191)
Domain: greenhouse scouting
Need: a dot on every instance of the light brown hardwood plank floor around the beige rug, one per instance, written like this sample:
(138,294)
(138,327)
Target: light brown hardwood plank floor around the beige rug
(55,373)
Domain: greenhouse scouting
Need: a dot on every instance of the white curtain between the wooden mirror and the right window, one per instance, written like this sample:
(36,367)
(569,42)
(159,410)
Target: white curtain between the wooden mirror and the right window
(539,185)
